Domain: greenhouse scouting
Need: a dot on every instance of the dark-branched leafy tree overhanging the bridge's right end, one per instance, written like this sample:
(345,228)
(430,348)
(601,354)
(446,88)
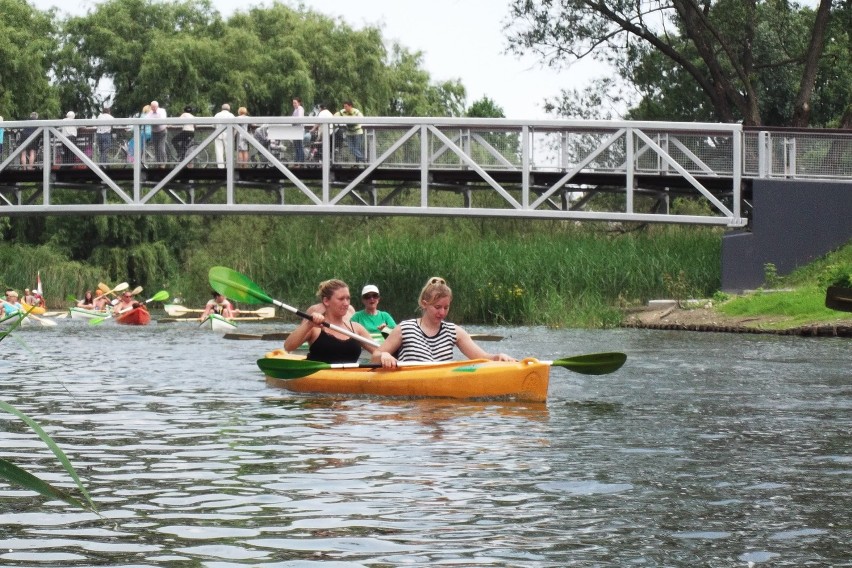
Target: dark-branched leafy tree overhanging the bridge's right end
(733,53)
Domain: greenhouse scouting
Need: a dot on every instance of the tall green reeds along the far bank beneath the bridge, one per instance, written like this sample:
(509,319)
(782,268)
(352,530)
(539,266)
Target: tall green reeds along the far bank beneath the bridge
(502,271)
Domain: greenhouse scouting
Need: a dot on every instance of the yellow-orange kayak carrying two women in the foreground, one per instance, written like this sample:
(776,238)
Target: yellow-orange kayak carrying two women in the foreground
(525,380)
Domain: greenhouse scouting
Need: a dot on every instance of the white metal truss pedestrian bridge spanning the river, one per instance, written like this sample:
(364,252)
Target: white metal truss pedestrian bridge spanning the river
(553,169)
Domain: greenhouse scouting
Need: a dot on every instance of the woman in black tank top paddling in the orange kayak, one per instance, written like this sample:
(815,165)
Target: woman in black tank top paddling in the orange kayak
(325,344)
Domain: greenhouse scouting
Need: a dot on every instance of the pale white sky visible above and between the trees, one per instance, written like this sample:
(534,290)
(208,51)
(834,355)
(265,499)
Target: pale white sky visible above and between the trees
(460,39)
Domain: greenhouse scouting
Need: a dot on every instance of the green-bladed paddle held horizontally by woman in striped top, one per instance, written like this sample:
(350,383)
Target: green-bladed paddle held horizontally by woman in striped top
(592,364)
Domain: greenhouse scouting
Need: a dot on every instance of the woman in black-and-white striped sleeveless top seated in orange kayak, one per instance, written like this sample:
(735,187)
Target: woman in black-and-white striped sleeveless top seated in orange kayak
(431,338)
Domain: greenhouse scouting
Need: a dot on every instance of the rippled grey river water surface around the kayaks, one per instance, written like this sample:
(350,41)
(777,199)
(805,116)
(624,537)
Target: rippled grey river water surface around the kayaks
(704,450)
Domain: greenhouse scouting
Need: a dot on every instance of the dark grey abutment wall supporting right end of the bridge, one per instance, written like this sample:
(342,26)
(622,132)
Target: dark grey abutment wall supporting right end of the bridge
(793,222)
